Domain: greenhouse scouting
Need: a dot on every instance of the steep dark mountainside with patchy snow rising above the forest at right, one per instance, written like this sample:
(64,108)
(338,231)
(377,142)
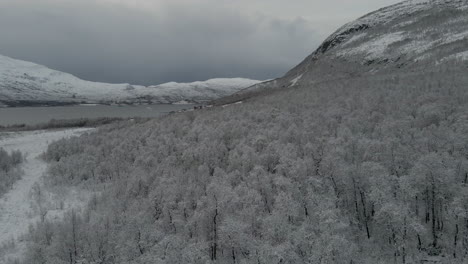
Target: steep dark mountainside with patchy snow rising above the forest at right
(416,34)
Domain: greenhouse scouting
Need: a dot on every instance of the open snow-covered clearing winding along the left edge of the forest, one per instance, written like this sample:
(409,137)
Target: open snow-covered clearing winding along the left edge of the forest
(17,206)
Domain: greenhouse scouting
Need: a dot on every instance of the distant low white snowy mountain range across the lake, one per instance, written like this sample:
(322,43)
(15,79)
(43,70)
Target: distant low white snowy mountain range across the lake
(25,82)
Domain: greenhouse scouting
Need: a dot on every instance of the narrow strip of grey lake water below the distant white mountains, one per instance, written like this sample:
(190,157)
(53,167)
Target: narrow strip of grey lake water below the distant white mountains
(37,115)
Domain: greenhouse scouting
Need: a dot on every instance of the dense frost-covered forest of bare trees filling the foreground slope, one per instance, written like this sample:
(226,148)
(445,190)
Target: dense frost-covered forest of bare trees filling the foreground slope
(364,170)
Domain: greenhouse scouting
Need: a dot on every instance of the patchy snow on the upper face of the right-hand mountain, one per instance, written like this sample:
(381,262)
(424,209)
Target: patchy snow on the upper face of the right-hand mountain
(392,32)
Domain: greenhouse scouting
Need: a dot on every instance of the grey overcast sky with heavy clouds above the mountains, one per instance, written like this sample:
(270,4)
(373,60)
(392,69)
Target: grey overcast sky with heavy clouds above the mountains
(155,41)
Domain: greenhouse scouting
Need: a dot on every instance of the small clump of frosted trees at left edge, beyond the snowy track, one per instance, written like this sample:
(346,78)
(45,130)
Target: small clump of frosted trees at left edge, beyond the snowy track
(9,169)
